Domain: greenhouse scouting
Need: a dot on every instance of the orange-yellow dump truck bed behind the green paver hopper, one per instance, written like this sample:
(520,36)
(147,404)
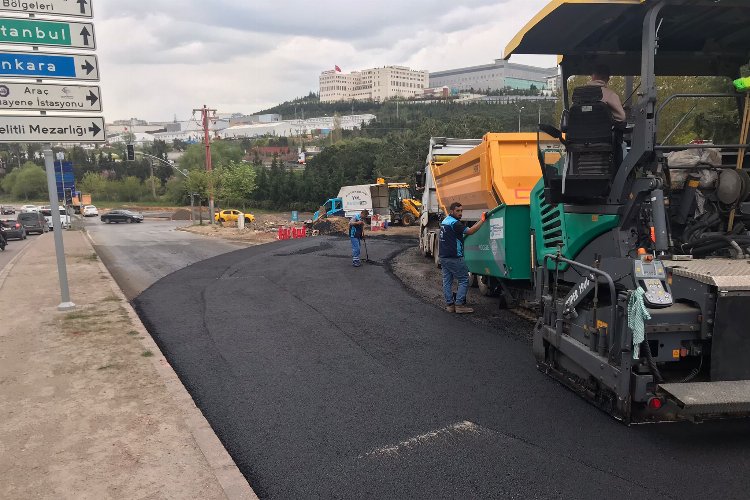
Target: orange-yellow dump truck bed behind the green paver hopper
(502,169)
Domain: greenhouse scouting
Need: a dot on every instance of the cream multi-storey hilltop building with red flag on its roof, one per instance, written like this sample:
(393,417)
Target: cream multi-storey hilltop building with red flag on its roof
(376,84)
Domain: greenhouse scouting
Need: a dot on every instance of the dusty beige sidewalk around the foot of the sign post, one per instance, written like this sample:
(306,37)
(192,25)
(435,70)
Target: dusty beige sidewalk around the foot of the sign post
(88,406)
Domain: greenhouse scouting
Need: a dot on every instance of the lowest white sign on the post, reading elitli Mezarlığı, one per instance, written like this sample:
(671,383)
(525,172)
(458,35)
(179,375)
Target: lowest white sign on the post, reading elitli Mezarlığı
(53,129)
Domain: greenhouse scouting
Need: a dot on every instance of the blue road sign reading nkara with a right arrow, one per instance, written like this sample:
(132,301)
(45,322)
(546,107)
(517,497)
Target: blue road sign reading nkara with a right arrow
(48,65)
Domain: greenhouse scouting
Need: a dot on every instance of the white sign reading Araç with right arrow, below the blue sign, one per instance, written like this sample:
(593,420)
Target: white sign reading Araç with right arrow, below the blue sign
(49,97)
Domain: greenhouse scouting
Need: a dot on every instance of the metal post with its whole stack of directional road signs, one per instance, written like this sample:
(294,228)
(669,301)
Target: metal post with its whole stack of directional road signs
(44,96)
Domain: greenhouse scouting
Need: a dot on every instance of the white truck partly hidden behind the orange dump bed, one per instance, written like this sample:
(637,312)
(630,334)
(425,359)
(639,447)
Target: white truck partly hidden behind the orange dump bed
(442,150)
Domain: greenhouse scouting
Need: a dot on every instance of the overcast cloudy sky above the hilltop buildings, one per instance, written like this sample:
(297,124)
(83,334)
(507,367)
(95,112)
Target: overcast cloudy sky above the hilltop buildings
(161,58)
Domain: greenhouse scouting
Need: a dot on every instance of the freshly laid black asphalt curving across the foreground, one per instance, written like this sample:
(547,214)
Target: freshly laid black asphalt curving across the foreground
(327,381)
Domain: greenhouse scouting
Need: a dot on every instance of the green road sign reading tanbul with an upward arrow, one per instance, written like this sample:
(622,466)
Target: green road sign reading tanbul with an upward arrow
(48,33)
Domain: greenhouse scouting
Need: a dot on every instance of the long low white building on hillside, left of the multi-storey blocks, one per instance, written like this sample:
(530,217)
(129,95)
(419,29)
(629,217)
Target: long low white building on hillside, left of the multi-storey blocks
(295,128)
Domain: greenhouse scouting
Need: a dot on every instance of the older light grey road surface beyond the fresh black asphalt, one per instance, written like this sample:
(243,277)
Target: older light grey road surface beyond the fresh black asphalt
(138,255)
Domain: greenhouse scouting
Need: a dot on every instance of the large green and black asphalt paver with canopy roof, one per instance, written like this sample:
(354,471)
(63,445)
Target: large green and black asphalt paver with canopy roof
(641,263)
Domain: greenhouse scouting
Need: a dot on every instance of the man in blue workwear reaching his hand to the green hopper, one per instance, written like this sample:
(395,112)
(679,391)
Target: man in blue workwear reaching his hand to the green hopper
(452,233)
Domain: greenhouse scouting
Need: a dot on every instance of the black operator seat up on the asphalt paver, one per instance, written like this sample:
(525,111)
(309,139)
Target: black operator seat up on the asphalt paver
(593,143)
